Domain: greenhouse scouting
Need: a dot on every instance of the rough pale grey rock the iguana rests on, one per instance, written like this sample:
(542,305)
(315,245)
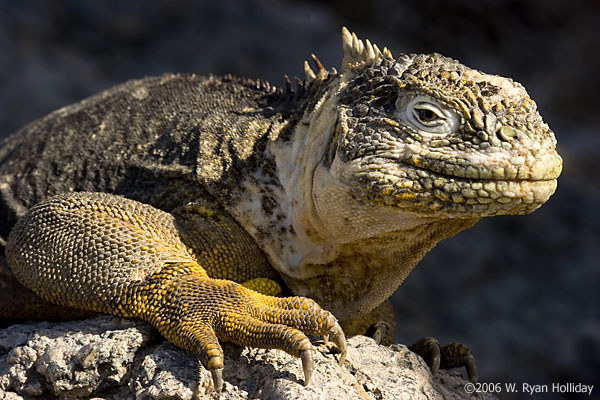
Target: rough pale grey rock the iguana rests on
(110,358)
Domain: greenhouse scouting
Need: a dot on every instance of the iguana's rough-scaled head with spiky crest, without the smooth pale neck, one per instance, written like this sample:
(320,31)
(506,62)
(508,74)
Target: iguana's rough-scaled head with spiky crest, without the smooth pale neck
(428,135)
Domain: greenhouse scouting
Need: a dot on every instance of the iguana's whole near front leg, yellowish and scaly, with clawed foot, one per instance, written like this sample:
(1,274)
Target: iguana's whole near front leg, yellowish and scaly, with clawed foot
(104,253)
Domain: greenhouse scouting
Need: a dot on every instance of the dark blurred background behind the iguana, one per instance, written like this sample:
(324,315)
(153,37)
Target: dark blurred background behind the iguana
(522,291)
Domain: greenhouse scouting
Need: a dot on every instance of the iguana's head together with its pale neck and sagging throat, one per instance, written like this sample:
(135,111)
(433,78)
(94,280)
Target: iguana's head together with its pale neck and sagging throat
(391,156)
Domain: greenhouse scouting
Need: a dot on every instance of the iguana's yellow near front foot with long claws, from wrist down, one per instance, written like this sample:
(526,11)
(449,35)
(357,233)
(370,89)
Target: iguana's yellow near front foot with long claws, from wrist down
(196,312)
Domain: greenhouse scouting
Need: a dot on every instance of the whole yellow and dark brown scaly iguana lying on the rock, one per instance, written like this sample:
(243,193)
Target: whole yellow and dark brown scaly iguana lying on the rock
(193,202)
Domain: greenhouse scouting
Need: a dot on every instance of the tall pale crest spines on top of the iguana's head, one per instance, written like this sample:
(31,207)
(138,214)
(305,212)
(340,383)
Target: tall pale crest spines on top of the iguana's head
(358,54)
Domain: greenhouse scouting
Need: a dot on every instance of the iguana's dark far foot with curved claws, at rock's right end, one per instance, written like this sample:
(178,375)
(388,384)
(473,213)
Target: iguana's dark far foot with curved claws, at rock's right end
(446,357)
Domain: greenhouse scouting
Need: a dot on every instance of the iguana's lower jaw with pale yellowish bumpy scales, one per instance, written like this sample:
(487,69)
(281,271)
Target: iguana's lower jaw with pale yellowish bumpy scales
(419,189)
